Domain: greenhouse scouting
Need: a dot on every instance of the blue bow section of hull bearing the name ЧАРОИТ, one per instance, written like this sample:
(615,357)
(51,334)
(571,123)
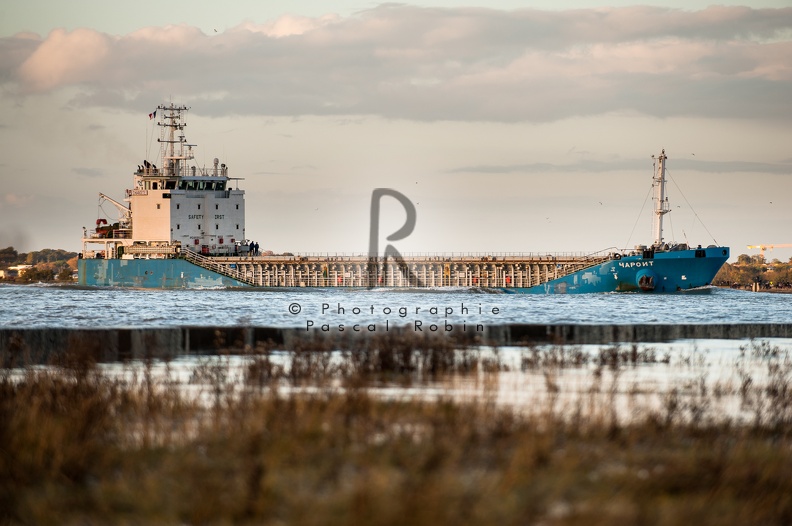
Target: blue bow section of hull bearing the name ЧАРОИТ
(655,272)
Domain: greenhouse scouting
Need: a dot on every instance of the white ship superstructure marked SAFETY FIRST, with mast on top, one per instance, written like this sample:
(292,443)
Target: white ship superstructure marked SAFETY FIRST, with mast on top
(174,204)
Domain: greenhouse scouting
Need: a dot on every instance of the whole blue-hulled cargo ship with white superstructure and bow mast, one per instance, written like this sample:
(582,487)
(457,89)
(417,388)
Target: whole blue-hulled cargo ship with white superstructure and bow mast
(182,226)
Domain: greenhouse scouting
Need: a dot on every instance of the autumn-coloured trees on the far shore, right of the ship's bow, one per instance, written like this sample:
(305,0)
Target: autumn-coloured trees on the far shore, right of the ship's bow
(755,269)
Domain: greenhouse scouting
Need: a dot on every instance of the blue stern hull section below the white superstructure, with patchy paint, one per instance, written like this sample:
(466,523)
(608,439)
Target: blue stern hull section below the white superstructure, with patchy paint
(150,274)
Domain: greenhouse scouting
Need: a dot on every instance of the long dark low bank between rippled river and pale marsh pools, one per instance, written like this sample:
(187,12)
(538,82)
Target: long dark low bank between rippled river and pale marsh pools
(42,345)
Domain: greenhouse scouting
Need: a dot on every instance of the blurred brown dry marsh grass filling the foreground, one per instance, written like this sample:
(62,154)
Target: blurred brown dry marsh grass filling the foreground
(80,446)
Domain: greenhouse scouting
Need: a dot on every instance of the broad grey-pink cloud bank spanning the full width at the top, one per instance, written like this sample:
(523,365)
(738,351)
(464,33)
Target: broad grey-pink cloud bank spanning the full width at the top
(403,62)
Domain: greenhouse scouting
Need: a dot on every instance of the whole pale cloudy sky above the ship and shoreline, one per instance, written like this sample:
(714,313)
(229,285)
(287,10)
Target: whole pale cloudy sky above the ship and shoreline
(512,126)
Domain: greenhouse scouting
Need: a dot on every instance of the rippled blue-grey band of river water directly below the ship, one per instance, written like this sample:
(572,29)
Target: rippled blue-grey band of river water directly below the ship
(39,305)
